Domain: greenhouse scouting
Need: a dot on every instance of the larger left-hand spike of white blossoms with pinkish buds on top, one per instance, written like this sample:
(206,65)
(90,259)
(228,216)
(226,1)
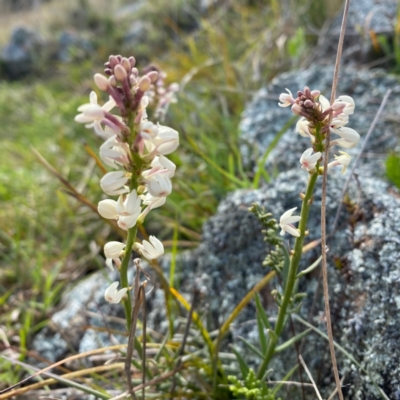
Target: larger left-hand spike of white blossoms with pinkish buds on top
(135,148)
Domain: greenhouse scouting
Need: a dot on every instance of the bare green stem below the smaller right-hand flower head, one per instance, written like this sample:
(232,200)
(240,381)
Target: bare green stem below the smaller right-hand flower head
(291,280)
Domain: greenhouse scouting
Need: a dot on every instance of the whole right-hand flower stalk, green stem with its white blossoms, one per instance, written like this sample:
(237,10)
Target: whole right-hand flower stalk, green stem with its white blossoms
(318,119)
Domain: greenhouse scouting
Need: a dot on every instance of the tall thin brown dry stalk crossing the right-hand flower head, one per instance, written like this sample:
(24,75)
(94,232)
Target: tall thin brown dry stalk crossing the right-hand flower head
(323,208)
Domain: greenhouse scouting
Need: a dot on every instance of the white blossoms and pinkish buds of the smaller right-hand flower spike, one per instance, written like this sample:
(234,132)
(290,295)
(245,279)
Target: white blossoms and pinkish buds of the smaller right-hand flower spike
(318,117)
